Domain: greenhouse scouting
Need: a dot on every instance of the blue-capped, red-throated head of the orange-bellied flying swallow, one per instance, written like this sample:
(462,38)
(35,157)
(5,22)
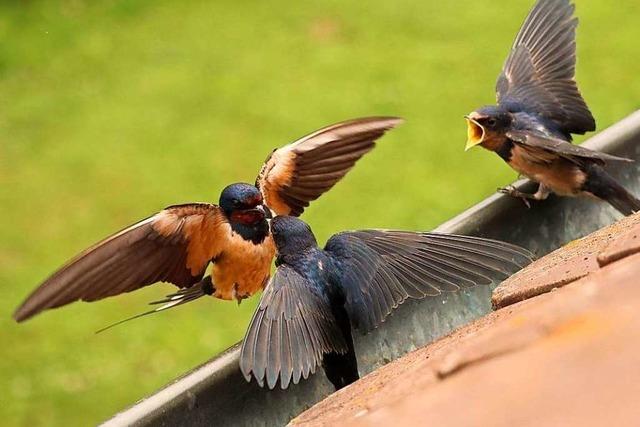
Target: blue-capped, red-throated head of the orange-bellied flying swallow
(242,203)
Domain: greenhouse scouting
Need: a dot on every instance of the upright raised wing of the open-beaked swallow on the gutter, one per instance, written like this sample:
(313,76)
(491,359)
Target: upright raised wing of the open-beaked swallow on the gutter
(539,74)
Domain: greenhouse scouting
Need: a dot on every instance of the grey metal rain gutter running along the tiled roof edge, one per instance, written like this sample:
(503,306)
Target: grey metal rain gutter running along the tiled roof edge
(217,393)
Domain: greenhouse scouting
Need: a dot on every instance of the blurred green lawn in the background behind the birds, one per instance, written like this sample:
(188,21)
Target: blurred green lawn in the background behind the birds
(110,111)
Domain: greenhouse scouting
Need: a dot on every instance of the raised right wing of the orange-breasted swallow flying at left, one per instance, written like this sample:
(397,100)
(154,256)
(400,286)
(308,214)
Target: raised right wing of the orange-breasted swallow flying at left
(302,171)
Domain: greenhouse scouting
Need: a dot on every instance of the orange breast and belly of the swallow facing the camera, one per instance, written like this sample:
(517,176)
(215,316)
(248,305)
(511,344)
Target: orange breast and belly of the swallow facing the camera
(243,268)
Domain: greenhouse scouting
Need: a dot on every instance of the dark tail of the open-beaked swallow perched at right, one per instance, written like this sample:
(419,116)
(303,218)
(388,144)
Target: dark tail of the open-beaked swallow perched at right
(602,185)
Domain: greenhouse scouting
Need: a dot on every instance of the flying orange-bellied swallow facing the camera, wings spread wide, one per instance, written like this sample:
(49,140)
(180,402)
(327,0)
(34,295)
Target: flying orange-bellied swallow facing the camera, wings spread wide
(177,244)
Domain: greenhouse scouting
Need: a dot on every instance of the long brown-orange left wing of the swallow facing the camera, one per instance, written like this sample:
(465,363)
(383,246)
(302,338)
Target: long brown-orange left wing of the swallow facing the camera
(175,245)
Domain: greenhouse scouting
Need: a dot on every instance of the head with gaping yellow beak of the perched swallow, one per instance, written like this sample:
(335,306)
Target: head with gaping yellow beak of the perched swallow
(485,125)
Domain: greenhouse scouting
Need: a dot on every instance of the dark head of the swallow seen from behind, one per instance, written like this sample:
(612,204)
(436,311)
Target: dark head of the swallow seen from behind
(291,235)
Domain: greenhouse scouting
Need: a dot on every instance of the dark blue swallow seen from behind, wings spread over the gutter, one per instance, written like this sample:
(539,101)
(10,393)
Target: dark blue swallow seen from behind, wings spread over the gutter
(316,296)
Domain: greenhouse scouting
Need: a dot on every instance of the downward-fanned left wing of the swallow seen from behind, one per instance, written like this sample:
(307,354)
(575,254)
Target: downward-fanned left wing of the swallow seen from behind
(290,331)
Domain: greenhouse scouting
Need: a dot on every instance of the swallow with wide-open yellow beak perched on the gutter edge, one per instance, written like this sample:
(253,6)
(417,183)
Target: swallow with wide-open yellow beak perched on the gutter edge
(539,107)
